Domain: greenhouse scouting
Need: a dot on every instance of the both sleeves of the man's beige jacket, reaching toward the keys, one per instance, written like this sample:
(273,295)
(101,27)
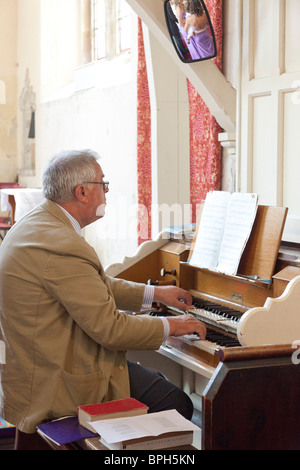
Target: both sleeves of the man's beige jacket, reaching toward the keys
(87,295)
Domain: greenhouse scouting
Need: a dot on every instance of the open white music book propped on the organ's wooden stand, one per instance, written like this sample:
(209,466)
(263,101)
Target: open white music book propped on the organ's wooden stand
(225,226)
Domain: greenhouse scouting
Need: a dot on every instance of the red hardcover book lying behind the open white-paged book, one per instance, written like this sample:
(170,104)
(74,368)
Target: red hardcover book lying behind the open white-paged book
(108,410)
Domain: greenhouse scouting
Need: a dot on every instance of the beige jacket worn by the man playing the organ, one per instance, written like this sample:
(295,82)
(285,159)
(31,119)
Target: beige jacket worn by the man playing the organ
(65,337)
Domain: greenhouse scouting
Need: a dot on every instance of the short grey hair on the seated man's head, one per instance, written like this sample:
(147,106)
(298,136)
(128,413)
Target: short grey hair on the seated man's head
(65,171)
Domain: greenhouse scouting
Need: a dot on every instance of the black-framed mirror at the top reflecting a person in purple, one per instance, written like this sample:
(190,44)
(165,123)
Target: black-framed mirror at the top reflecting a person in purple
(190,29)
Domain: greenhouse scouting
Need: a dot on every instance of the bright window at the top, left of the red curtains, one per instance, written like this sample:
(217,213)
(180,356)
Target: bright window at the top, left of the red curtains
(111,28)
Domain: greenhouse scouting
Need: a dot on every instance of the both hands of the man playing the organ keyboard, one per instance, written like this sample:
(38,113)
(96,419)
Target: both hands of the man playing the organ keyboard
(182,324)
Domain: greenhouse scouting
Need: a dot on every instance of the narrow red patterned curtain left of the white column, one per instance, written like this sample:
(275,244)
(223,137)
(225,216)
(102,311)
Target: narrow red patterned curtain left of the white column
(143,143)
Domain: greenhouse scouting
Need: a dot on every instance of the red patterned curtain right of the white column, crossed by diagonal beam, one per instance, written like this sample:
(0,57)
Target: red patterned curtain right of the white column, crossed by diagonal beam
(205,150)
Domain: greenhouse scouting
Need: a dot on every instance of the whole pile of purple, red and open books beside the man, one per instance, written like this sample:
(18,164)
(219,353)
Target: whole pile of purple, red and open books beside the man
(122,425)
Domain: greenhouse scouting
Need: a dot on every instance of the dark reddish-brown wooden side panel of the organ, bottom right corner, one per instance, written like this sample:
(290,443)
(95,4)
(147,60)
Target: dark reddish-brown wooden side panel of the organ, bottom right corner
(253,403)
